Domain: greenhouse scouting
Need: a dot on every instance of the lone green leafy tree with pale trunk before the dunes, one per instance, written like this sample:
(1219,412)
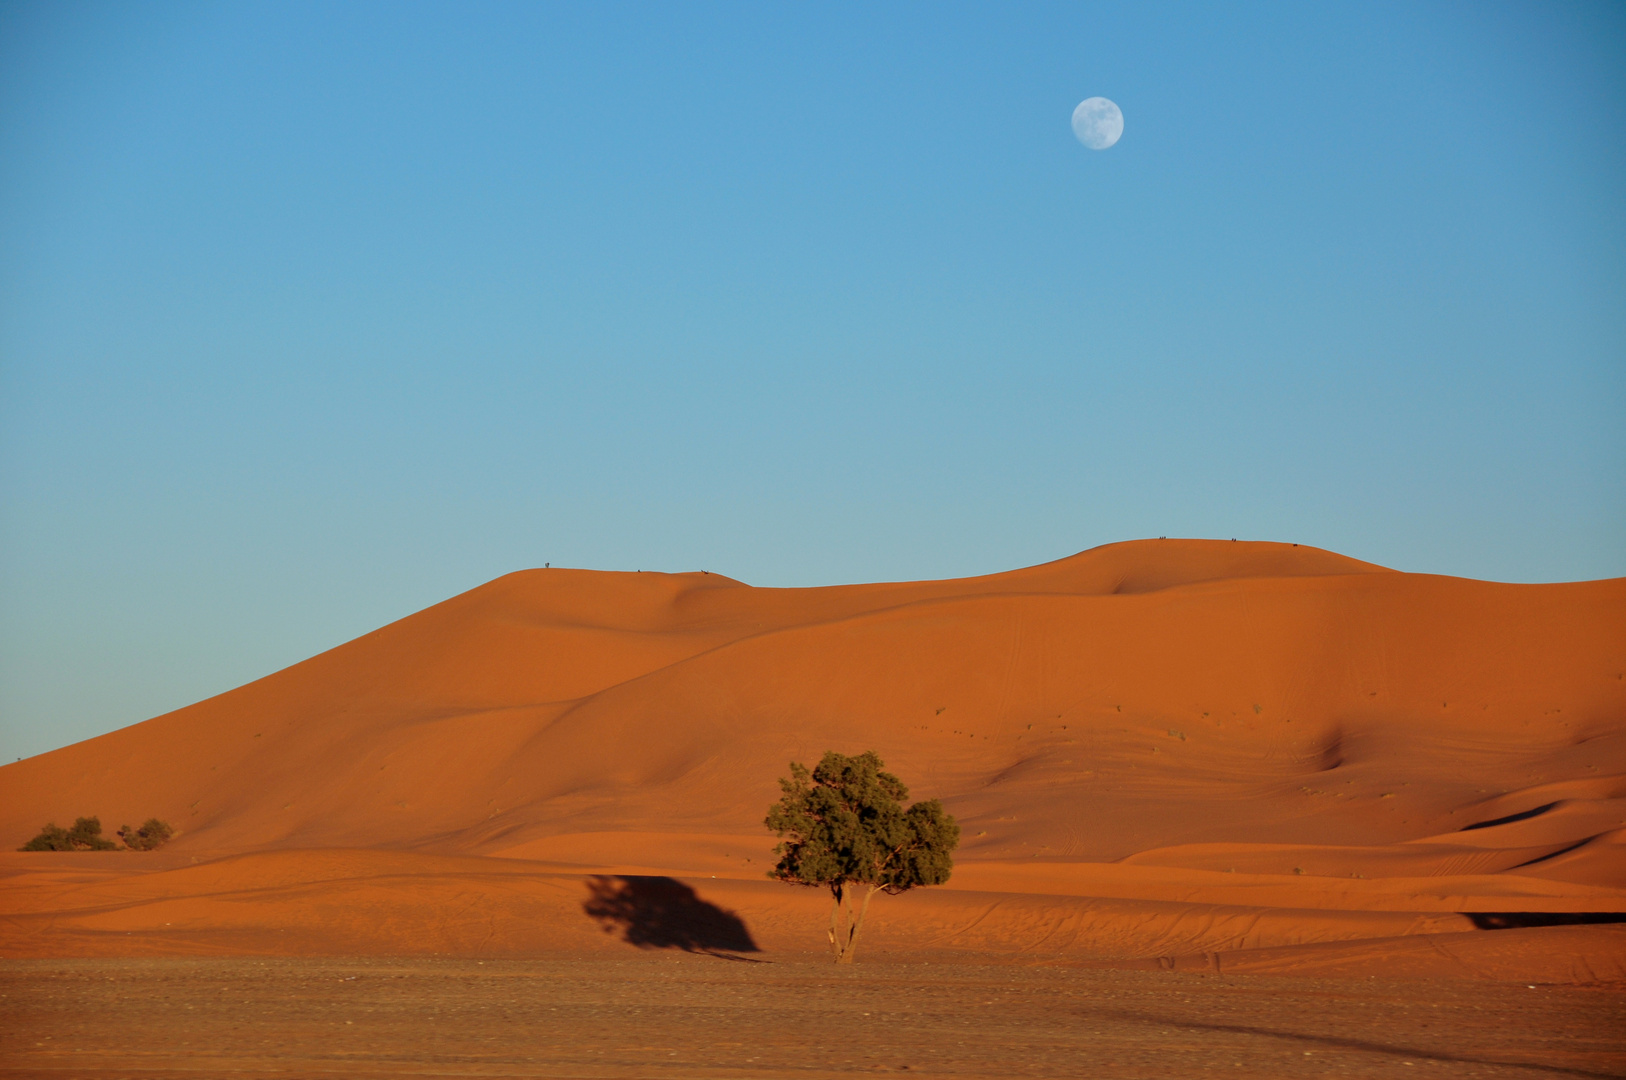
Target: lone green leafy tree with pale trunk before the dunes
(843,825)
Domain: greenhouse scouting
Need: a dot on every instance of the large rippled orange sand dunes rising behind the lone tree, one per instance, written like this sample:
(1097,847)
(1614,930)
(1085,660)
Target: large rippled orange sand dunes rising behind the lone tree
(1150,747)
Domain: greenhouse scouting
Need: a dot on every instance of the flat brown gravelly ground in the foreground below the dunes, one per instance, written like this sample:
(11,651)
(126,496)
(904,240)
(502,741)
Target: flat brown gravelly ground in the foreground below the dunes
(695,1016)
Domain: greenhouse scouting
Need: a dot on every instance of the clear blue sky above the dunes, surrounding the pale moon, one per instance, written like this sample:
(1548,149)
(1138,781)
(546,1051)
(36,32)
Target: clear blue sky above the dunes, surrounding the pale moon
(316,315)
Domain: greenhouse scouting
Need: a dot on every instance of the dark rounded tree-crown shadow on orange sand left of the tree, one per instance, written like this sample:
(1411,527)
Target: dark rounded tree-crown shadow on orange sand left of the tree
(664,913)
